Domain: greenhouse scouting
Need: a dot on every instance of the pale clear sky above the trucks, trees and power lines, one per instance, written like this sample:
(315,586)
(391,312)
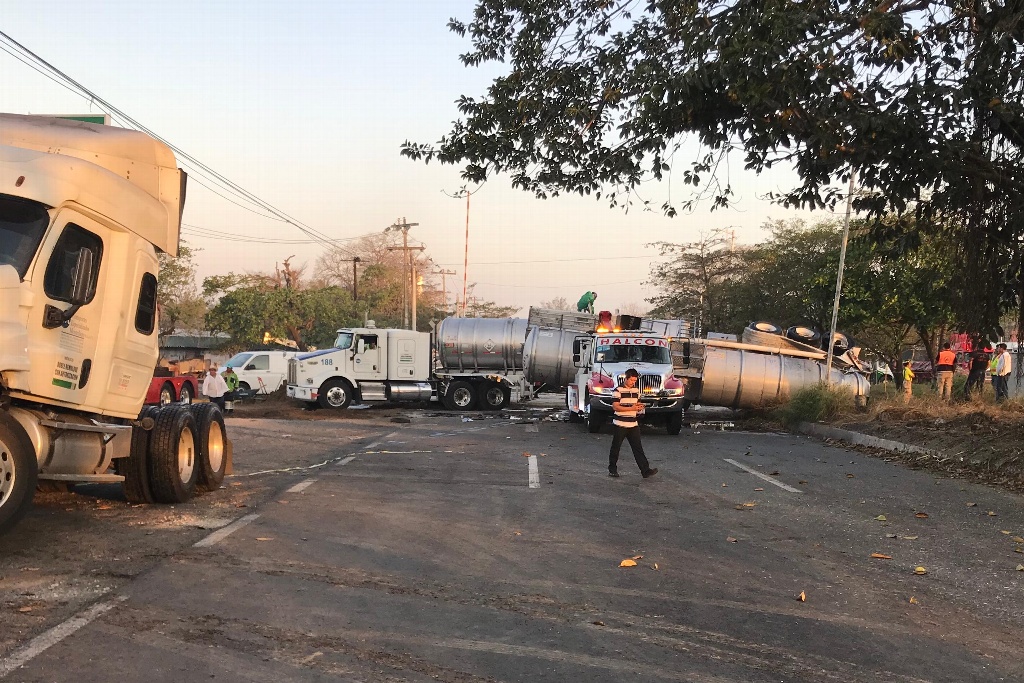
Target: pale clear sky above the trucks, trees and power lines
(307,105)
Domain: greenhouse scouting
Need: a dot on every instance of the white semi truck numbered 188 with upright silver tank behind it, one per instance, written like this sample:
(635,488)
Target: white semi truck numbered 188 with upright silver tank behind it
(466,364)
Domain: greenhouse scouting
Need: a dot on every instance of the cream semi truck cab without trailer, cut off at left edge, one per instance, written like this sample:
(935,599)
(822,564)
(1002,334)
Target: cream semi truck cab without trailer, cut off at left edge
(84,209)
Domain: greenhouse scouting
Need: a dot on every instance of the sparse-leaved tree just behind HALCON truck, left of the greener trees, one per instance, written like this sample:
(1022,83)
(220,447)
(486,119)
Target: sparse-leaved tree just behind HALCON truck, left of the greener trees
(697,281)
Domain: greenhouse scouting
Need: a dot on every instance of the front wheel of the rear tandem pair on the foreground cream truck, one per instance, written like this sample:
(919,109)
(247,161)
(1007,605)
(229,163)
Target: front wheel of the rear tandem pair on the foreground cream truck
(173,455)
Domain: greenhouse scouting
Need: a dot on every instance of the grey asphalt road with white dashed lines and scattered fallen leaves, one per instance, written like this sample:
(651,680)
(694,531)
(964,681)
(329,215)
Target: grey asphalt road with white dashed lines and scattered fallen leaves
(440,549)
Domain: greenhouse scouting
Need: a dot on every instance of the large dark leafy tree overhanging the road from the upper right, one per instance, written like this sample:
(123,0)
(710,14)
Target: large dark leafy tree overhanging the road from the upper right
(923,101)
